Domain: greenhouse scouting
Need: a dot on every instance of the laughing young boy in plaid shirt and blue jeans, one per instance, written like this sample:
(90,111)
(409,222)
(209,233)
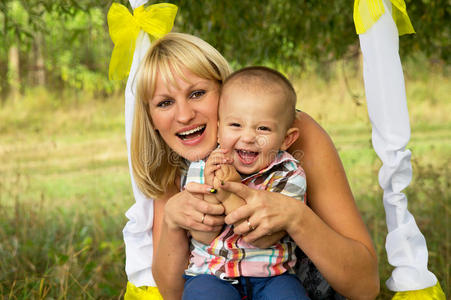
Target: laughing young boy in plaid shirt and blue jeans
(256,111)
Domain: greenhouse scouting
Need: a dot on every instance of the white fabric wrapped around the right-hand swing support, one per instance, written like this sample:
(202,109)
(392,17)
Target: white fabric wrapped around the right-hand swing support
(387,109)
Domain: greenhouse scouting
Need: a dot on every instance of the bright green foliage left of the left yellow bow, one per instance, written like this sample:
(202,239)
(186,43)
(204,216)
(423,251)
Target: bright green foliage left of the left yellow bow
(76,44)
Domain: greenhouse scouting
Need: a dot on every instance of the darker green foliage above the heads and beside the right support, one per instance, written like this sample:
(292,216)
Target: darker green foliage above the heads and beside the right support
(292,32)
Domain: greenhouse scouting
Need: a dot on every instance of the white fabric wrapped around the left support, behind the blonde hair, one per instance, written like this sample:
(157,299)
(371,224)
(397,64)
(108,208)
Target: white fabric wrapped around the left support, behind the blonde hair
(138,230)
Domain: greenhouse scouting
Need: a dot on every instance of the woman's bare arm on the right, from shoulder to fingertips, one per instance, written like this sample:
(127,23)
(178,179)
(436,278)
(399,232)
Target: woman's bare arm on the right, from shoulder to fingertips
(330,231)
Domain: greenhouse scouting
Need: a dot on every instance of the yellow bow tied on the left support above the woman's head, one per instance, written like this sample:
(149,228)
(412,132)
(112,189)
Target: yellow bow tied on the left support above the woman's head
(157,20)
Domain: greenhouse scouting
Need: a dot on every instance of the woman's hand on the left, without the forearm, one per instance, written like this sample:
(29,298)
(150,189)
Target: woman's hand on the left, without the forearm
(188,210)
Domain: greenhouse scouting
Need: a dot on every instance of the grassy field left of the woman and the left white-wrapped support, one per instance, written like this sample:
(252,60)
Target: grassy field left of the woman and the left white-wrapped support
(60,218)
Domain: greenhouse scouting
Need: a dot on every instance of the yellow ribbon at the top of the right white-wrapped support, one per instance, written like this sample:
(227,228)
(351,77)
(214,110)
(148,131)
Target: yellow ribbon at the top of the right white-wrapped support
(367,12)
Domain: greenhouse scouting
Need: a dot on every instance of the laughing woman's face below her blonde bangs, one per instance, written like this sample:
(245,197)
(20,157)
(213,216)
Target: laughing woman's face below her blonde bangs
(185,114)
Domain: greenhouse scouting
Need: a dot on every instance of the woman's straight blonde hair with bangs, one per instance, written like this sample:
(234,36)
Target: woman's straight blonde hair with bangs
(155,165)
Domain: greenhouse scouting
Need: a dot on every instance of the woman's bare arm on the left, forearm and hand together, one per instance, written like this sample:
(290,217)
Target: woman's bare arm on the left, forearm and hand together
(173,215)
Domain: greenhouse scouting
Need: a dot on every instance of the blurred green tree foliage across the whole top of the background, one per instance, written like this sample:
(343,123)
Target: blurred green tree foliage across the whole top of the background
(289,35)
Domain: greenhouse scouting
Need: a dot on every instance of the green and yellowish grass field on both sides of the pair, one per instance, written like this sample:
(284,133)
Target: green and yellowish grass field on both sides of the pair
(64,185)
